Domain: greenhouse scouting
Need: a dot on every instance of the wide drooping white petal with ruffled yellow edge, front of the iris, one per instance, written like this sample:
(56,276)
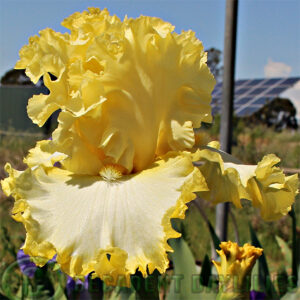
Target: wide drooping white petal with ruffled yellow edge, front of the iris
(111,227)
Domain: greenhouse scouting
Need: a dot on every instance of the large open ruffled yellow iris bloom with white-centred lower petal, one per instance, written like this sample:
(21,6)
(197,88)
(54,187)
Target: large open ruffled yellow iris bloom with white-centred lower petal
(130,93)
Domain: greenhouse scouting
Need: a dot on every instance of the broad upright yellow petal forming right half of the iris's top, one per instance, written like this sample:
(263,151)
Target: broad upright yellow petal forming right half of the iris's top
(159,84)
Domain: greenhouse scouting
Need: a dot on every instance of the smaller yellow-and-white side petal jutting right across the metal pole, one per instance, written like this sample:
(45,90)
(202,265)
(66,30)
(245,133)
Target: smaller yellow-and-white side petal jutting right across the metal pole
(265,185)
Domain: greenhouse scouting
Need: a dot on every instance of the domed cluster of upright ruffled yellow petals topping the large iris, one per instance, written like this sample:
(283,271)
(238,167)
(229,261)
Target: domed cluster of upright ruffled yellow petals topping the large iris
(156,85)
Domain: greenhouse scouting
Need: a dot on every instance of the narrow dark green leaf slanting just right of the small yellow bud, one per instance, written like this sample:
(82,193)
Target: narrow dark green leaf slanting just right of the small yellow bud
(264,274)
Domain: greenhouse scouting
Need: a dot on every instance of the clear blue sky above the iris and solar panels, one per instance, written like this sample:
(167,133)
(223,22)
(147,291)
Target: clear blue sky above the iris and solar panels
(268,40)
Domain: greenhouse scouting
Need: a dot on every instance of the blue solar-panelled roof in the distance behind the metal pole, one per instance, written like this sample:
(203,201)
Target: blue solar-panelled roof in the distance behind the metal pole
(250,95)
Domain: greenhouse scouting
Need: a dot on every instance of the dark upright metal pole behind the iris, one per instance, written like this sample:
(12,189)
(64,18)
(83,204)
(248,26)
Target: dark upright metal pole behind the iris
(227,103)
